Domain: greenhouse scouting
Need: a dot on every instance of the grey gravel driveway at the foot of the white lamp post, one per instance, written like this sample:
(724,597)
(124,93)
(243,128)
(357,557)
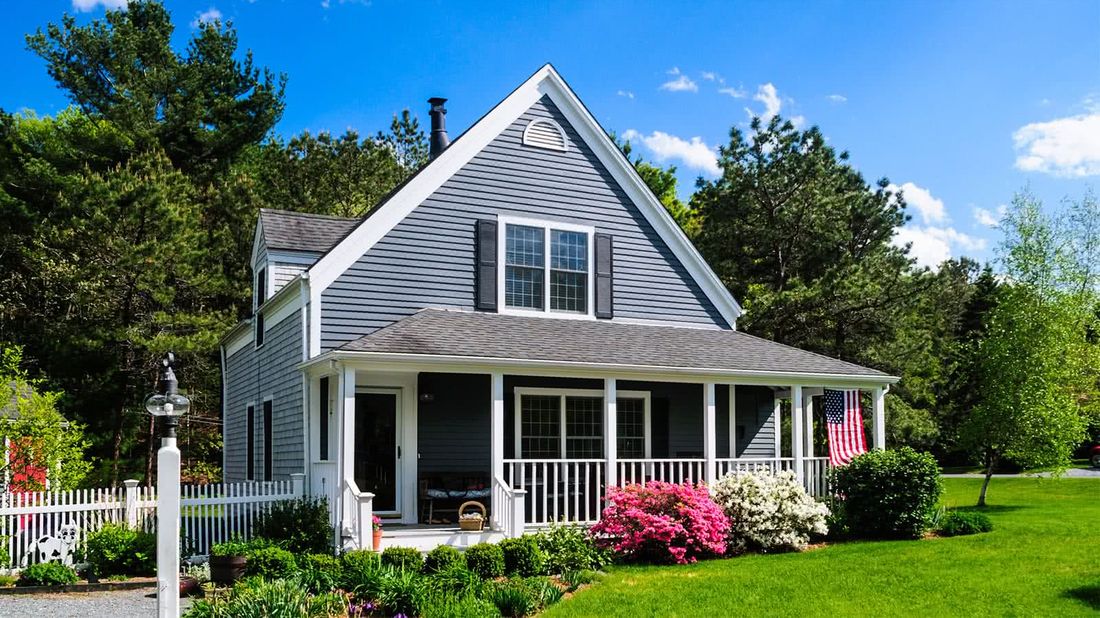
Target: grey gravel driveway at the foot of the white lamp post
(116,604)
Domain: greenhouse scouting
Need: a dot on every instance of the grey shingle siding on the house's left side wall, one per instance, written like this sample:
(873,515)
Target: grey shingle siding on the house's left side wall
(255,376)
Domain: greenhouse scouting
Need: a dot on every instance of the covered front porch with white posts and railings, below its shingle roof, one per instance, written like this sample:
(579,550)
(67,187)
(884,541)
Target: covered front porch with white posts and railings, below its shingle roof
(412,442)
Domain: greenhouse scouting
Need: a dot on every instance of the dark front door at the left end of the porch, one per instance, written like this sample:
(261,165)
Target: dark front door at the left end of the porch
(378,451)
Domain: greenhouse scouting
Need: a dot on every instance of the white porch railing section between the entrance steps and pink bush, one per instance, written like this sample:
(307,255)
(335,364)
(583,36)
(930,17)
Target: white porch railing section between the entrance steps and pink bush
(558,490)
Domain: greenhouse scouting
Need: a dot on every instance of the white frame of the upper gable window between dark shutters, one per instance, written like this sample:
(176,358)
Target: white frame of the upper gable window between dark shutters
(546,226)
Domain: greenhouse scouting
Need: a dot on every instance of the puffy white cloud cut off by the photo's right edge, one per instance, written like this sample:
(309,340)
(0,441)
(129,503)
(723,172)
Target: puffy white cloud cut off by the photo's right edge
(1068,147)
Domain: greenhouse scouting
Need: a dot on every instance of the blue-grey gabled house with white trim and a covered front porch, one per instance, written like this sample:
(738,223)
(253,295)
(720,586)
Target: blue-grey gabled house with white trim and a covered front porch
(521,324)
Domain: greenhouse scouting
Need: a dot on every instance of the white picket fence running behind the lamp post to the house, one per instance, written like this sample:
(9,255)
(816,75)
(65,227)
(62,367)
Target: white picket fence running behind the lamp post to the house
(40,526)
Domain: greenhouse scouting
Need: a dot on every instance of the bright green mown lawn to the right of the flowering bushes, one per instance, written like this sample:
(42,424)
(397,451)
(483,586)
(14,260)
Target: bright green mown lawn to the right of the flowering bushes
(1042,559)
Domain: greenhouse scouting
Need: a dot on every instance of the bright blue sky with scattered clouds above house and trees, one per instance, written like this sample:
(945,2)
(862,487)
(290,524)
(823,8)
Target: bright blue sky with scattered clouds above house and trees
(962,104)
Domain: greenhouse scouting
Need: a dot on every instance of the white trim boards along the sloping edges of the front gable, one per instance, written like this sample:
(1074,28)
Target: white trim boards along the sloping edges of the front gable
(546,82)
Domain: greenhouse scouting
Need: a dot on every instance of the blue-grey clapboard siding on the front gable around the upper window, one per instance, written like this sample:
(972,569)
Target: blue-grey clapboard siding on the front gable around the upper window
(428,259)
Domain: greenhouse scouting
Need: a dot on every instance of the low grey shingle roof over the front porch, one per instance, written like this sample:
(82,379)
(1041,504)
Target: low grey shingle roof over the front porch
(497,336)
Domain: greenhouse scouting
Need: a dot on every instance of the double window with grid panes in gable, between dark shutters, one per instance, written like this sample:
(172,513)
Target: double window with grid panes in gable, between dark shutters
(546,267)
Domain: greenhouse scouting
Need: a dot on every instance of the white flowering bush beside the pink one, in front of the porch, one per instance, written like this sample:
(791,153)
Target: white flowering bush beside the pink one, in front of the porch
(767,511)
